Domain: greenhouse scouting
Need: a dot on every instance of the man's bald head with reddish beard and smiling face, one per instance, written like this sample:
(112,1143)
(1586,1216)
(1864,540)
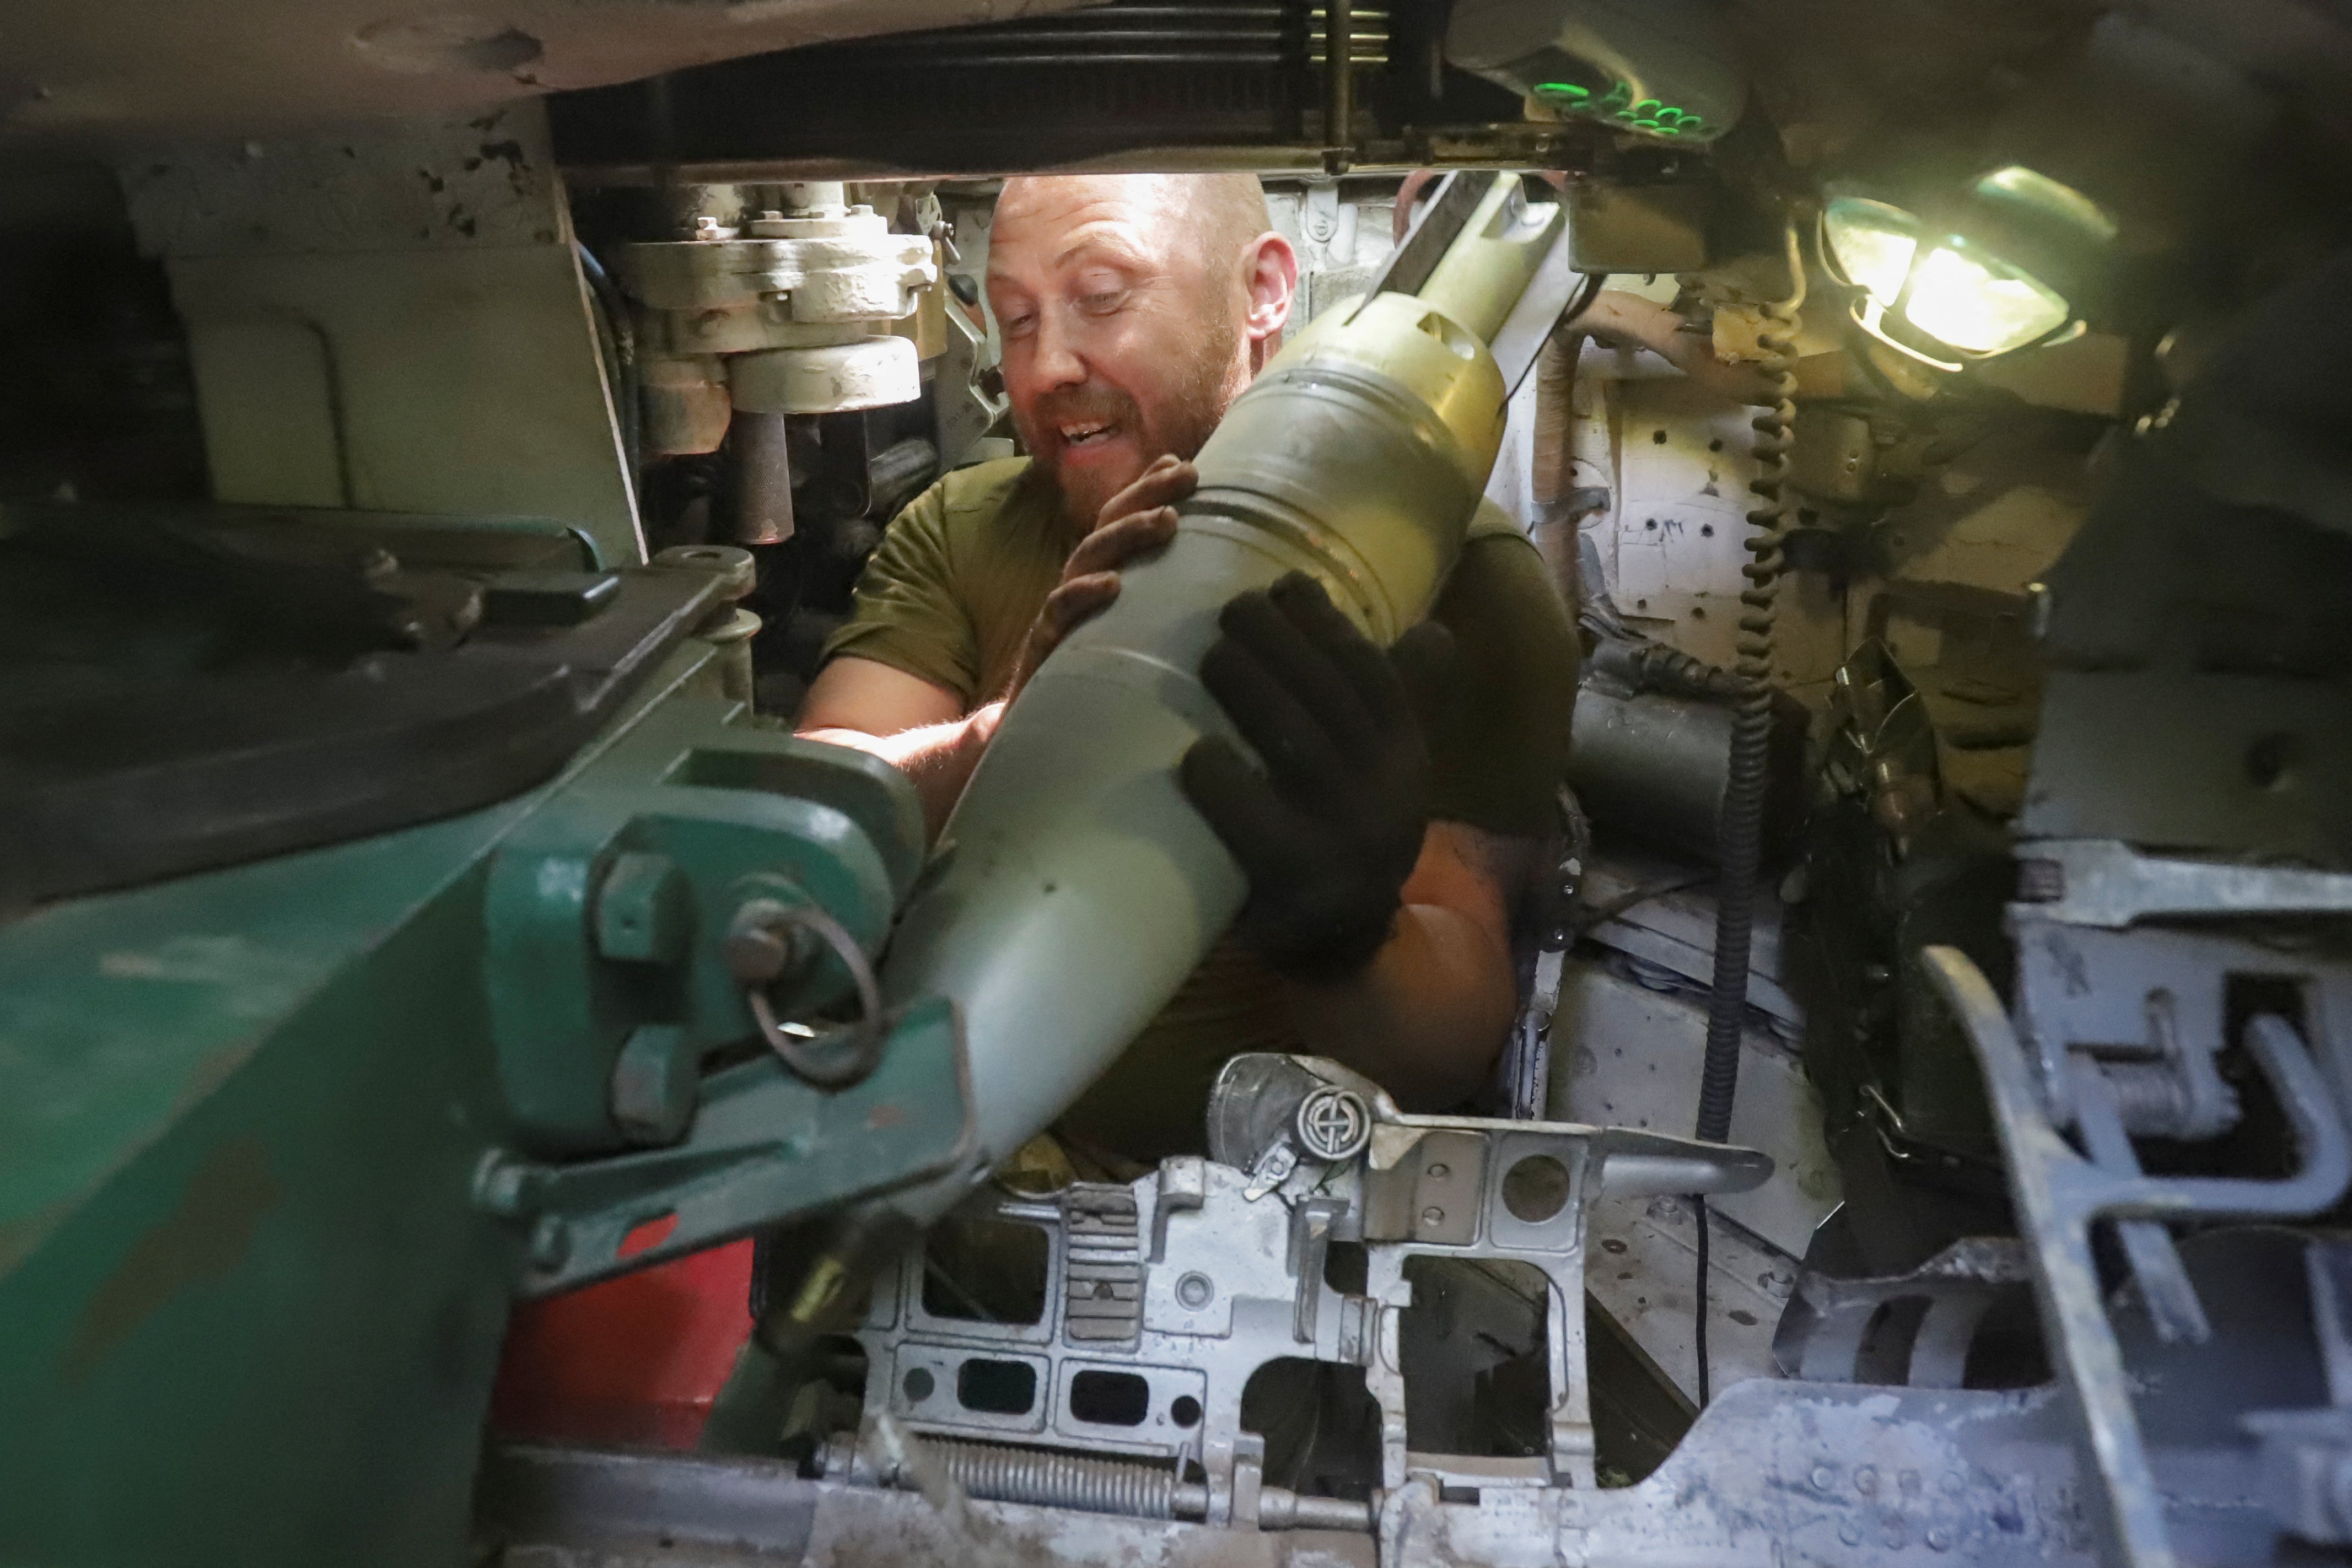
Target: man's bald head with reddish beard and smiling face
(1135,309)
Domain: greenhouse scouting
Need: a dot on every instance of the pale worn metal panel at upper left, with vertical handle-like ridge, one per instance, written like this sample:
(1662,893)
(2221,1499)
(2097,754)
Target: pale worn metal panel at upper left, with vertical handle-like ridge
(392,319)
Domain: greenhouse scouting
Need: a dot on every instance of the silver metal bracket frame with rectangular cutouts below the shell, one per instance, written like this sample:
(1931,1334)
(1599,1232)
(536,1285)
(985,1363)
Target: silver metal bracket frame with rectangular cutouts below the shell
(1208,1275)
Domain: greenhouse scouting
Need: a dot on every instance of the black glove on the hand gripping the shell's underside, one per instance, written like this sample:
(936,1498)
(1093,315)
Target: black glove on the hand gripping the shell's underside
(1332,829)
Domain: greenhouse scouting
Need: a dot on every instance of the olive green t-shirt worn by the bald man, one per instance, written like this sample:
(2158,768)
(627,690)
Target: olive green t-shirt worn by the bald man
(949,598)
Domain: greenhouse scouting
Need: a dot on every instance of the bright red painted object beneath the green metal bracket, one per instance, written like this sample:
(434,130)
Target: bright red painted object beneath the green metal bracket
(634,1360)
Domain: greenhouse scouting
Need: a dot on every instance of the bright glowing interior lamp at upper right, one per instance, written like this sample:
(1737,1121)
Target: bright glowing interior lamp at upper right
(1984,279)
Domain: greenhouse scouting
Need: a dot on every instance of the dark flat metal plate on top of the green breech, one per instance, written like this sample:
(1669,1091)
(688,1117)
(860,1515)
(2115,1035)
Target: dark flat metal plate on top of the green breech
(373,655)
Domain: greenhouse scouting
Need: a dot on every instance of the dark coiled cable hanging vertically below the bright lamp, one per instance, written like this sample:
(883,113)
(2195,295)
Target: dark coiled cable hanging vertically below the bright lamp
(1751,730)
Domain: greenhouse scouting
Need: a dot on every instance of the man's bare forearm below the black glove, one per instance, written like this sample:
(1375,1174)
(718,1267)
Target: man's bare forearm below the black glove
(1431,1012)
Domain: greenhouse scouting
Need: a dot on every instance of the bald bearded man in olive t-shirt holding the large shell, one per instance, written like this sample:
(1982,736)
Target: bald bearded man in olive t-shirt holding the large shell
(1405,796)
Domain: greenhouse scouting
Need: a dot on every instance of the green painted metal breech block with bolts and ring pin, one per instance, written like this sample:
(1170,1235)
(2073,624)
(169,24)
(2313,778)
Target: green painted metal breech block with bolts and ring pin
(281,1144)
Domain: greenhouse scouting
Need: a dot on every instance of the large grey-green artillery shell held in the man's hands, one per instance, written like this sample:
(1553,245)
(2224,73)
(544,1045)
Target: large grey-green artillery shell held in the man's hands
(1076,885)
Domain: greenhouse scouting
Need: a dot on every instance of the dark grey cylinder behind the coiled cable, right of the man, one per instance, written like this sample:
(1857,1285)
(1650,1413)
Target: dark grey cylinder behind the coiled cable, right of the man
(1657,768)
